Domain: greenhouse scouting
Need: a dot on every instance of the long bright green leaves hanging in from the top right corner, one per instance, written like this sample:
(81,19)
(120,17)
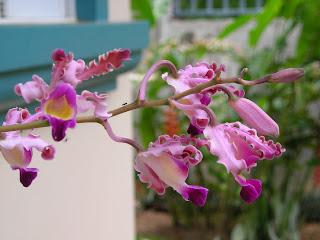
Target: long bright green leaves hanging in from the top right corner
(301,12)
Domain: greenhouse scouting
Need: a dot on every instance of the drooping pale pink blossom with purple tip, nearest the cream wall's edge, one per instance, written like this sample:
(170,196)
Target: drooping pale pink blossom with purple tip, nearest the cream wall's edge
(166,163)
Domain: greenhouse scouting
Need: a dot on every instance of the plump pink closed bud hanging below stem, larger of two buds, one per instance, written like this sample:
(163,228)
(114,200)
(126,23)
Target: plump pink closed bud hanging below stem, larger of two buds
(255,117)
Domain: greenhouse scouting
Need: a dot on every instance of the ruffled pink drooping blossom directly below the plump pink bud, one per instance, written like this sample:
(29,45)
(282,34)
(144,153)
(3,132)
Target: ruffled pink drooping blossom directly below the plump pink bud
(239,148)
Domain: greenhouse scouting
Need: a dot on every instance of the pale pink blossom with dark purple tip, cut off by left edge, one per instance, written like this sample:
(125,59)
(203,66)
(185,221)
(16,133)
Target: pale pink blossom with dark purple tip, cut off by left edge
(17,150)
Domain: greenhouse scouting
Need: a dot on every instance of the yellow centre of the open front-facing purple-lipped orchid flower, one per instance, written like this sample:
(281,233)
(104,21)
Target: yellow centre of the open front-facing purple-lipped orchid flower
(59,108)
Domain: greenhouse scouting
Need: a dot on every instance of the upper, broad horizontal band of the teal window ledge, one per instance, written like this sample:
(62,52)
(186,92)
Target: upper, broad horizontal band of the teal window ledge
(84,40)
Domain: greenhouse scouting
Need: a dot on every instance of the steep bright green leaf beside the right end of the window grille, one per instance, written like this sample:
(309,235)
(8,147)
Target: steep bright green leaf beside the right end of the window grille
(263,19)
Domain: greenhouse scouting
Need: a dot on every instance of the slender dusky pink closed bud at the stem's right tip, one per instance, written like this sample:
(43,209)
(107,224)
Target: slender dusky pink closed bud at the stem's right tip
(286,75)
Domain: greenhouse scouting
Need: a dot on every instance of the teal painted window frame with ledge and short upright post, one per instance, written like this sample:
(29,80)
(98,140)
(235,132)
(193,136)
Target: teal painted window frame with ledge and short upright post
(26,49)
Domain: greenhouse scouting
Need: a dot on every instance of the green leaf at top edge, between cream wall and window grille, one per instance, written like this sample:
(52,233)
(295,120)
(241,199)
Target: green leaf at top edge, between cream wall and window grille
(142,9)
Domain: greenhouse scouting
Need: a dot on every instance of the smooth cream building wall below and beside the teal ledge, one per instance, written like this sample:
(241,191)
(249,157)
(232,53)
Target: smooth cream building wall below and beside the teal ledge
(86,191)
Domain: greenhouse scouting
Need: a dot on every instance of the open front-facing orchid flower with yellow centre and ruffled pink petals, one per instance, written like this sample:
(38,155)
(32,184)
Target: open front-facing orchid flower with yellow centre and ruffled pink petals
(59,101)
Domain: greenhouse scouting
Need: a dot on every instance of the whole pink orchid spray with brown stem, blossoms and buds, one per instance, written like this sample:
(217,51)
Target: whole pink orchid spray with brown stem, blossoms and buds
(166,162)
